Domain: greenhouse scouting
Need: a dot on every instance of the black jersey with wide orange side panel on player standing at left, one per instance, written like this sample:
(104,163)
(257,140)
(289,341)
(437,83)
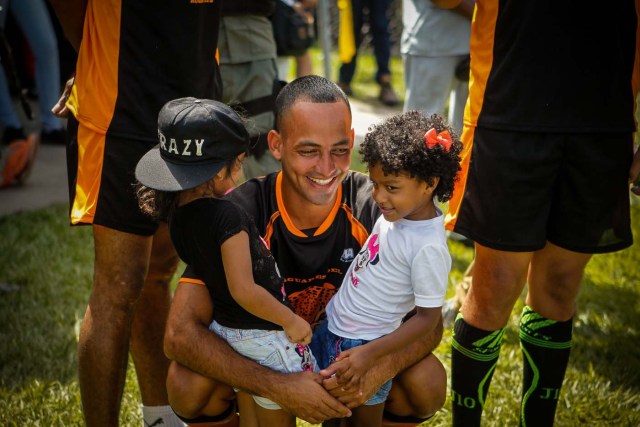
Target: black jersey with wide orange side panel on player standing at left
(136,55)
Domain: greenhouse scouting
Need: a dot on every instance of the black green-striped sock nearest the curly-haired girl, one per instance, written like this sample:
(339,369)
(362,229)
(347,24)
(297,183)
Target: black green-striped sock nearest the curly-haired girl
(474,356)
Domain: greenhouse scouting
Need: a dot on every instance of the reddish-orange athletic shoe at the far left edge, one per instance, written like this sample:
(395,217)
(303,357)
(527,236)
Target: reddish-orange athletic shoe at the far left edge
(17,160)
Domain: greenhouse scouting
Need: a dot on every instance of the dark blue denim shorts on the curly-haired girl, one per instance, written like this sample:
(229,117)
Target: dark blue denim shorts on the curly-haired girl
(326,346)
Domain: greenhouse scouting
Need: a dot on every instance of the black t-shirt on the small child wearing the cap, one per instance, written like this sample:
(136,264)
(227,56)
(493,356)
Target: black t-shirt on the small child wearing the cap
(198,230)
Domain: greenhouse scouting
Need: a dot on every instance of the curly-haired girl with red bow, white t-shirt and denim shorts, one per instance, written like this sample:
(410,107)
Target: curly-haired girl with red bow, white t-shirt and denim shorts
(405,263)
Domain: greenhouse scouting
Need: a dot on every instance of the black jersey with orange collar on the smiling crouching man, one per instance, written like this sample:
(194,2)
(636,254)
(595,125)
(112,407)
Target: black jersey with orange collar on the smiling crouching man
(311,262)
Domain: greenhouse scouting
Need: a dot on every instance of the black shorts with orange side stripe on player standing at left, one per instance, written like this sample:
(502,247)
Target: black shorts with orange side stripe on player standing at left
(101,179)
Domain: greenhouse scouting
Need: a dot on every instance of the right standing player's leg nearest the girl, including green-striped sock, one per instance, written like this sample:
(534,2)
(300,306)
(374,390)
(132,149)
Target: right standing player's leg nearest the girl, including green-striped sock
(498,280)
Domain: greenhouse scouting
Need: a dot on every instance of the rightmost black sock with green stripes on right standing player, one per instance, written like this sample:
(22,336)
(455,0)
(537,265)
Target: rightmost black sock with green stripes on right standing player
(546,345)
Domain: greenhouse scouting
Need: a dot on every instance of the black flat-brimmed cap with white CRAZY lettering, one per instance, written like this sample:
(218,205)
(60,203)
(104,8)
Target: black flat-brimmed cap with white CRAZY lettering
(197,138)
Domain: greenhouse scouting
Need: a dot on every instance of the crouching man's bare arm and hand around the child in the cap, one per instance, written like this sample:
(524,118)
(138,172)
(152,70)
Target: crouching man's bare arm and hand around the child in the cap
(189,342)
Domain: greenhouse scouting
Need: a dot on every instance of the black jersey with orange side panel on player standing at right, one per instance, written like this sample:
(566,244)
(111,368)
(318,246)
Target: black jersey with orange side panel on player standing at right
(552,66)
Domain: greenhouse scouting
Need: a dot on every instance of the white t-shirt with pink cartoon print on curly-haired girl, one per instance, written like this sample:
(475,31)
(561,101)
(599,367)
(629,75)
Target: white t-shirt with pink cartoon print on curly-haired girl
(403,264)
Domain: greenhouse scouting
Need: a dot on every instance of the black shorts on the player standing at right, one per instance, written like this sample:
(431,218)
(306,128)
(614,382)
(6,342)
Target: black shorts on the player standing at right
(524,189)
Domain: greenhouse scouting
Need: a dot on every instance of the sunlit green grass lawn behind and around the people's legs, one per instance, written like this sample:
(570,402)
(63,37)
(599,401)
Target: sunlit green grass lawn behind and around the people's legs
(45,280)
